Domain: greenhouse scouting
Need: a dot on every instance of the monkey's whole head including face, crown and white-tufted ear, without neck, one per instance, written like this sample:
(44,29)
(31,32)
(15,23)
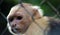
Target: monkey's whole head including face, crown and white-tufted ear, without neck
(19,20)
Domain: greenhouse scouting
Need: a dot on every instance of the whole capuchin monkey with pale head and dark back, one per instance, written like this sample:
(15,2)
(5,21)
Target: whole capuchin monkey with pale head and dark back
(27,19)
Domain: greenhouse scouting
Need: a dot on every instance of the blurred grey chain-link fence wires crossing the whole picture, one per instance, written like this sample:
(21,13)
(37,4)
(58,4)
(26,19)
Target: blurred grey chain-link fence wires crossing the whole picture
(42,2)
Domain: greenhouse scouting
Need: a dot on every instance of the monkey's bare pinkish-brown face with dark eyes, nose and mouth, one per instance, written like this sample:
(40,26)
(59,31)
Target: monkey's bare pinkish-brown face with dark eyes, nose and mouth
(19,21)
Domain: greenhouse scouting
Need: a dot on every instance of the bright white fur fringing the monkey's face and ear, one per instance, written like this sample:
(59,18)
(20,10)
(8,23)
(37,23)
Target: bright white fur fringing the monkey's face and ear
(15,8)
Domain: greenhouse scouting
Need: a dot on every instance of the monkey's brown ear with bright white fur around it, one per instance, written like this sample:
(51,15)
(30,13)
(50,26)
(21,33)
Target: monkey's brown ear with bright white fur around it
(37,12)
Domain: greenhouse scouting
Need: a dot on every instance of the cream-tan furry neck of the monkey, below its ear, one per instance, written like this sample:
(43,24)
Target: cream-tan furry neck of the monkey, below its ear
(35,29)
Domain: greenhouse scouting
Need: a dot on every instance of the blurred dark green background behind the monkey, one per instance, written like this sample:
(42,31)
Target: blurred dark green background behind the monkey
(50,8)
